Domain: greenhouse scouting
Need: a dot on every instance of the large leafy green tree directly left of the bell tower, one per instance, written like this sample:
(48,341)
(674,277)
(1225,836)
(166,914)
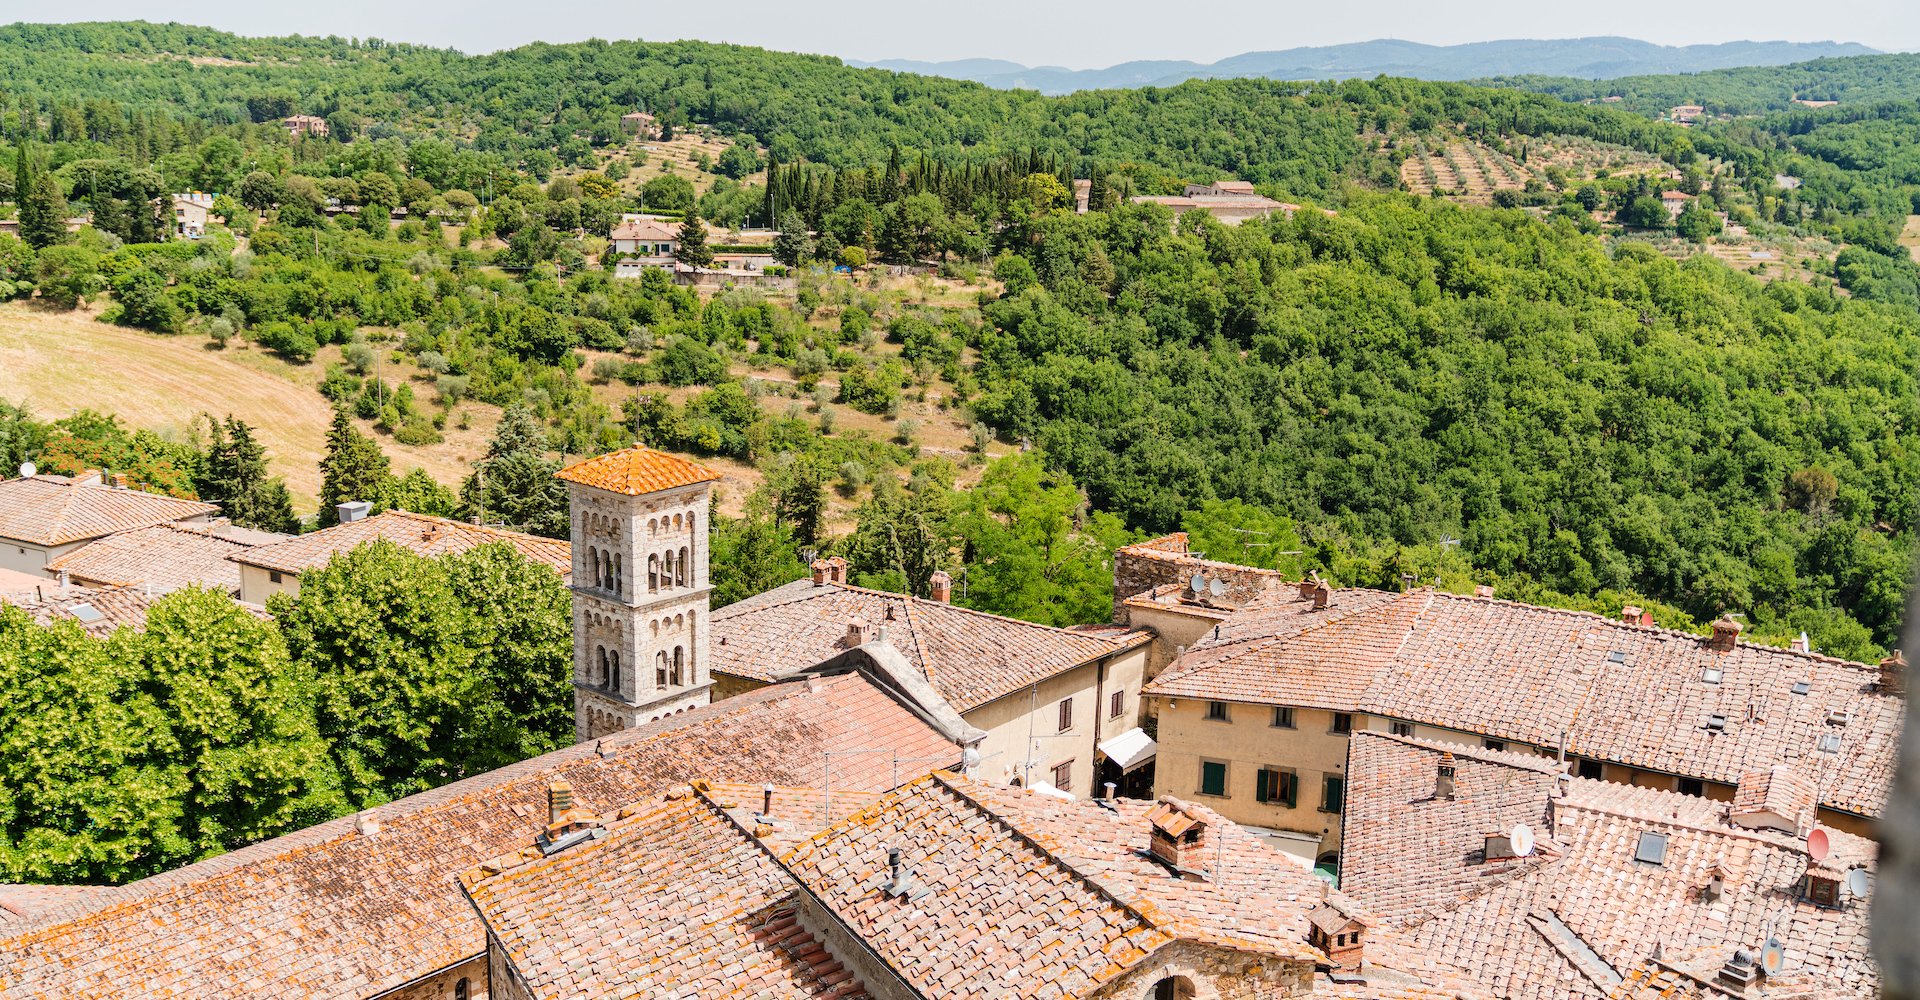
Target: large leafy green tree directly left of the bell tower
(431,669)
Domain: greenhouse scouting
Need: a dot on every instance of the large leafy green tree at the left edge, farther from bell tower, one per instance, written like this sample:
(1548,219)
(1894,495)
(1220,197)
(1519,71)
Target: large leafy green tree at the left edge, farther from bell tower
(139,753)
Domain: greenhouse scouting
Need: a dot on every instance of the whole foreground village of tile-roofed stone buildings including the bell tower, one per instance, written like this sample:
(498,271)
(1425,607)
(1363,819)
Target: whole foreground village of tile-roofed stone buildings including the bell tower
(1239,788)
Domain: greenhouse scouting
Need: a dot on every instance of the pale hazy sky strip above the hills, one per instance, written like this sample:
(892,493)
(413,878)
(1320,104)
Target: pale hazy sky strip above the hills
(1084,34)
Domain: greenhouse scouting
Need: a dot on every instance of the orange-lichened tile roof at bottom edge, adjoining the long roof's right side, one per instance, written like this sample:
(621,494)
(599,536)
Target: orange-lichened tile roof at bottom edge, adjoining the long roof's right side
(673,897)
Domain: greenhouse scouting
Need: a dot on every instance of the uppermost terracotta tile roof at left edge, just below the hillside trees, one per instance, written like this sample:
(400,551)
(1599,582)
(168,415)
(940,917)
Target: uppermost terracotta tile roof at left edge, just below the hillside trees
(55,510)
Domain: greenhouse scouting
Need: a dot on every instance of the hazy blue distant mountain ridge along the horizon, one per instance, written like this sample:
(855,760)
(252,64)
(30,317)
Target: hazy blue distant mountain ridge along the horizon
(1587,59)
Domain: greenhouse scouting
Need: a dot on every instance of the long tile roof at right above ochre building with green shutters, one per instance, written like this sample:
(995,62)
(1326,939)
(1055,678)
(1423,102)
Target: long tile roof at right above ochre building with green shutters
(1531,675)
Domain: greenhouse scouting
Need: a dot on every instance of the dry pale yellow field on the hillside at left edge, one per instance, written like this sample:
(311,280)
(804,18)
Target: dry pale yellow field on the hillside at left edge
(59,364)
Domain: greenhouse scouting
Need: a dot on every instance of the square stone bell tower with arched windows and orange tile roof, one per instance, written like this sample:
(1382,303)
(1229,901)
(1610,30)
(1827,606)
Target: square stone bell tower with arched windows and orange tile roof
(640,588)
